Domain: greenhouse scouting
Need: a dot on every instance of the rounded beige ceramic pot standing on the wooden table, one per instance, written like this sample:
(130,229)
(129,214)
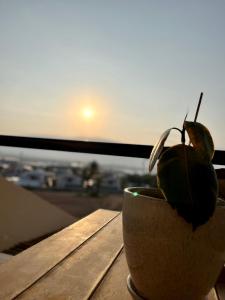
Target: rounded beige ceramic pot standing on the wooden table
(166,258)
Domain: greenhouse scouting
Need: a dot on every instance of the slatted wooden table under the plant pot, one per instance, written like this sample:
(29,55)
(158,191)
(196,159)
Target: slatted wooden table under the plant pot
(83,261)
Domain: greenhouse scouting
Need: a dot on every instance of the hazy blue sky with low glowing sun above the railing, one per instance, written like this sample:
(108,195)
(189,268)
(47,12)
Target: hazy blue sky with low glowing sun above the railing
(114,70)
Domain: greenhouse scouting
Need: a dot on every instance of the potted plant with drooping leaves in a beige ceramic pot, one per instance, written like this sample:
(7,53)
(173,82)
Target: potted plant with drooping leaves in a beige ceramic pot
(174,236)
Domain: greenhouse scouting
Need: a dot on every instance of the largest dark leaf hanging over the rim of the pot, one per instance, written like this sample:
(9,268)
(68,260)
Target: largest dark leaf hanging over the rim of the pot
(188,183)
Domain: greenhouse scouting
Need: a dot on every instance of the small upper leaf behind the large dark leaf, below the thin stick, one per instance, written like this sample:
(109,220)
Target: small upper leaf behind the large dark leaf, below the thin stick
(201,139)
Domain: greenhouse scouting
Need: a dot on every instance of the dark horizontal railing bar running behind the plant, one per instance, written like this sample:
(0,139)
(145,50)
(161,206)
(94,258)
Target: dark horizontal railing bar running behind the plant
(117,149)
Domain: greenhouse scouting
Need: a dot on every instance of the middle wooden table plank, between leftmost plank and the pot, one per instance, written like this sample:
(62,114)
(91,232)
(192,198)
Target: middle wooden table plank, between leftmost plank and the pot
(79,274)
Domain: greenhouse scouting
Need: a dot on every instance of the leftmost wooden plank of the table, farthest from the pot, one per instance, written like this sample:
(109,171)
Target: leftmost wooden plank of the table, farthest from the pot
(23,270)
